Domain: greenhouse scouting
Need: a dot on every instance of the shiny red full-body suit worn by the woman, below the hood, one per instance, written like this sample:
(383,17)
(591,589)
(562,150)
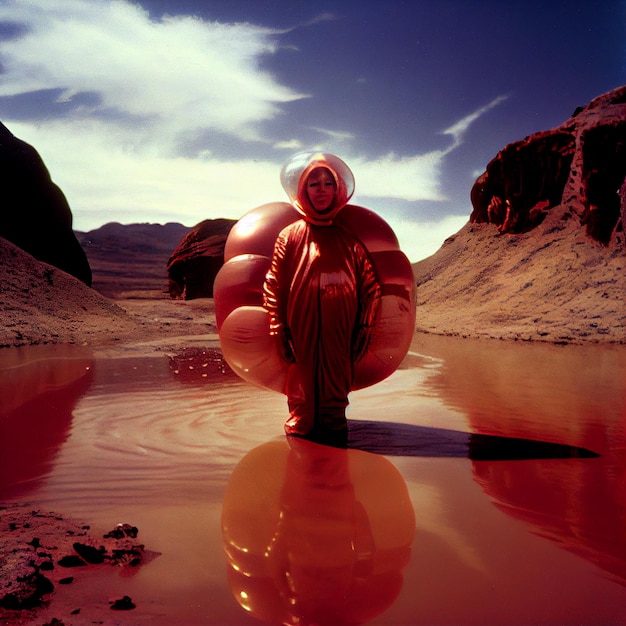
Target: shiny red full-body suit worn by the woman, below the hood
(322,295)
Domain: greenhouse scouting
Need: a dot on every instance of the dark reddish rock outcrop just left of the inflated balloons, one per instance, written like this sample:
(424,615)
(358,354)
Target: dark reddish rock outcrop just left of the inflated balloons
(197,259)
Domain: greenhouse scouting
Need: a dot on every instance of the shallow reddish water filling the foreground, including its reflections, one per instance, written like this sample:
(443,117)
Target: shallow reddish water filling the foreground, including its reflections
(415,523)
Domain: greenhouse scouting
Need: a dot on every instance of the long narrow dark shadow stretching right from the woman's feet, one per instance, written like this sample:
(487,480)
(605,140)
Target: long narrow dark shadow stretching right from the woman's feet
(394,439)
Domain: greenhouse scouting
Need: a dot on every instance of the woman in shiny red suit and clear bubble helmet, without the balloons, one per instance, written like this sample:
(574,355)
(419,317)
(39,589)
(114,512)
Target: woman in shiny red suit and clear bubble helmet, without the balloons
(322,295)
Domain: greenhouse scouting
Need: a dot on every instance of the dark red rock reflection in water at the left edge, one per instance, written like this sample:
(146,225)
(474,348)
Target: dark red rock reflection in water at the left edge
(39,388)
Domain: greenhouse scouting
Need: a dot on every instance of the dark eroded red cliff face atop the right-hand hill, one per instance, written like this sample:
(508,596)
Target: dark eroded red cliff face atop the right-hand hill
(580,166)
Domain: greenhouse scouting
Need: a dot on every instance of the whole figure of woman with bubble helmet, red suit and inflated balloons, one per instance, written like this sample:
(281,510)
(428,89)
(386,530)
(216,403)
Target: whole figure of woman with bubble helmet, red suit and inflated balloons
(318,283)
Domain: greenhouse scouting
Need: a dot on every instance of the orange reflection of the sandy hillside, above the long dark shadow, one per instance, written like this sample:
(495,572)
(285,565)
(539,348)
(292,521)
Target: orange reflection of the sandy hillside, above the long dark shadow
(572,395)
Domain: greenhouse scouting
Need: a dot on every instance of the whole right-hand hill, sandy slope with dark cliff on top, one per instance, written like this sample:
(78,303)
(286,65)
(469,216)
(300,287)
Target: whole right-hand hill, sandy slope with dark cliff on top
(543,256)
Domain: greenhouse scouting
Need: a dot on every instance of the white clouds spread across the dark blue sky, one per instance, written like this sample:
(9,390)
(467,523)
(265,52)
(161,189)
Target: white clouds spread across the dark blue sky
(162,81)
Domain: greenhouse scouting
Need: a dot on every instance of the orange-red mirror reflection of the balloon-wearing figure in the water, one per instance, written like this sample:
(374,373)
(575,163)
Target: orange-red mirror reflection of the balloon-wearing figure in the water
(316,534)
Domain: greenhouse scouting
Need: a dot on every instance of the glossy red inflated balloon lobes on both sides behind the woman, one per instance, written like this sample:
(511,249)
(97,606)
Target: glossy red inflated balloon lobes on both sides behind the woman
(239,288)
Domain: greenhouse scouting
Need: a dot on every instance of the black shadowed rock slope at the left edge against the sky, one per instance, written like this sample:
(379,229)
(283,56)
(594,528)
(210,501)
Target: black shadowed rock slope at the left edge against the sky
(35,214)
